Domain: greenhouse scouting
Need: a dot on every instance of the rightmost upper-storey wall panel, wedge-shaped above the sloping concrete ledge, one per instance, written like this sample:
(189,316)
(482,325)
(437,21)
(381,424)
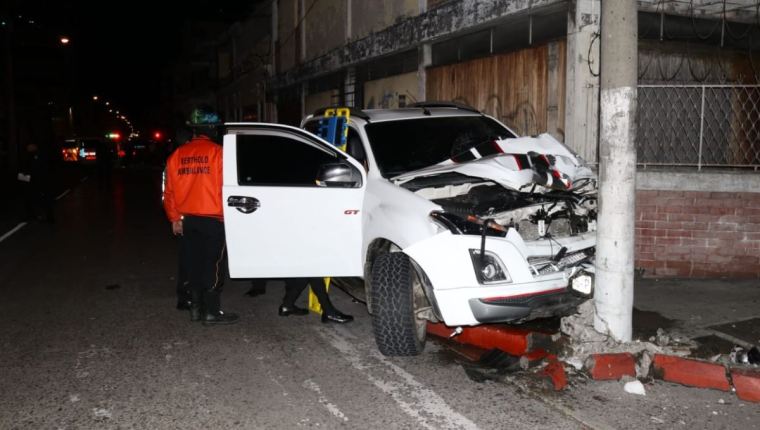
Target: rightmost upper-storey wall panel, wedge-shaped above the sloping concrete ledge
(368,16)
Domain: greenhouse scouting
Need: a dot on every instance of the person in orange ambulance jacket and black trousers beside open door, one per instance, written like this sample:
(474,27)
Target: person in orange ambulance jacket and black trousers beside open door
(193,205)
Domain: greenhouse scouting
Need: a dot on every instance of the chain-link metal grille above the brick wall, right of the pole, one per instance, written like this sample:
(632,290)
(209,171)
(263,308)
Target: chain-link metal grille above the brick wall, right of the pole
(701,126)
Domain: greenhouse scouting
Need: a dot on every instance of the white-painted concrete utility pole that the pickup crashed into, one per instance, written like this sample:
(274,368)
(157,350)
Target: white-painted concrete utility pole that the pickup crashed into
(617,170)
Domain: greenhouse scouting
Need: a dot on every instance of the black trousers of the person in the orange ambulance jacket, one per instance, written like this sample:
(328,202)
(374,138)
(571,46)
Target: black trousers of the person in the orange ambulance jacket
(206,252)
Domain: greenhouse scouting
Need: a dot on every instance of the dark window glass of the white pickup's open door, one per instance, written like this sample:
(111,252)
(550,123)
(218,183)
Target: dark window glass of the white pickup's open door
(279,161)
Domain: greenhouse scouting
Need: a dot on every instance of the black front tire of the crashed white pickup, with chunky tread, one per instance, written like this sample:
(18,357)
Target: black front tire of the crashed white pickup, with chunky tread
(397,295)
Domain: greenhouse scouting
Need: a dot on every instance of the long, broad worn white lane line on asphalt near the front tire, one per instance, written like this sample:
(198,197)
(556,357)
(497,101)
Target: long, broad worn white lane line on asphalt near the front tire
(418,401)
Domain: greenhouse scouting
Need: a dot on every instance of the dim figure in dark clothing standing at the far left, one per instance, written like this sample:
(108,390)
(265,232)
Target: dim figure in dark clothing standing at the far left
(35,179)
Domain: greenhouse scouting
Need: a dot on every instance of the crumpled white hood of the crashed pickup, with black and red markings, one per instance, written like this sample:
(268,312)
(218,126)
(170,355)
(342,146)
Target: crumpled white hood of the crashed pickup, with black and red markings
(514,163)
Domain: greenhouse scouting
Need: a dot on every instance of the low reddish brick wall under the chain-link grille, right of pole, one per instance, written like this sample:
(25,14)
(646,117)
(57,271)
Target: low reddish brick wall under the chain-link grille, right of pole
(698,234)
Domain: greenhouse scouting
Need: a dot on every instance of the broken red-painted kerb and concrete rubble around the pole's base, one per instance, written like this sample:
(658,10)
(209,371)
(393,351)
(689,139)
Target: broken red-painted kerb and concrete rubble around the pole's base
(586,353)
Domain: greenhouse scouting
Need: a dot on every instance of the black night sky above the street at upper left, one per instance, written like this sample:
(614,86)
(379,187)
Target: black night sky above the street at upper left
(120,48)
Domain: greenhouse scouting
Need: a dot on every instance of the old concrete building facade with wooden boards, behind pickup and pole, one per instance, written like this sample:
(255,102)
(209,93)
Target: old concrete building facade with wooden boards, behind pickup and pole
(534,65)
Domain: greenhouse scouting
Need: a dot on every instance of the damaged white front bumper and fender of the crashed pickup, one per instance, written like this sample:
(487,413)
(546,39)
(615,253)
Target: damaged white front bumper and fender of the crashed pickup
(534,287)
